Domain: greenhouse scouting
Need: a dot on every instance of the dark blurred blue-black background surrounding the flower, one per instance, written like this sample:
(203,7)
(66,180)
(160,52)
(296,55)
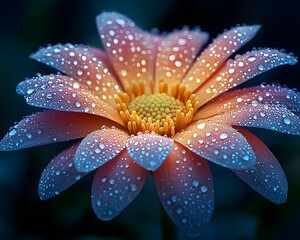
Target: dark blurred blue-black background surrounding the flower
(240,213)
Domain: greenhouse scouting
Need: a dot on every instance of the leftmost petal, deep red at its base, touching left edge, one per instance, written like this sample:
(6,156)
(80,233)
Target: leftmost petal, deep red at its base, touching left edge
(49,127)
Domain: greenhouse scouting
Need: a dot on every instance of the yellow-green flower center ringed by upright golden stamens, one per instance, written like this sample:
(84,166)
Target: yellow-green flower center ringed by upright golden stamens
(165,112)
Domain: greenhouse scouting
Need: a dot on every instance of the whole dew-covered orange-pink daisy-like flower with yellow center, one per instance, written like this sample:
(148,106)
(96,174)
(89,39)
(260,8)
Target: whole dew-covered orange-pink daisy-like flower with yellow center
(150,104)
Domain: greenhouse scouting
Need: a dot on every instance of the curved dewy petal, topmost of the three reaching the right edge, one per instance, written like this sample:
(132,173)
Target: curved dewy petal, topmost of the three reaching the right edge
(241,69)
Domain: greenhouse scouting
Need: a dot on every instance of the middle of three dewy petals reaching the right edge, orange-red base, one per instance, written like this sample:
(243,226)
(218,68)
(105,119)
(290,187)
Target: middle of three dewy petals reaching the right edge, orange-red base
(270,94)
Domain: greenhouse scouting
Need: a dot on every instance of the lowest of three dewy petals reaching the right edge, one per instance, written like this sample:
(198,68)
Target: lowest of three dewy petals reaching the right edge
(265,116)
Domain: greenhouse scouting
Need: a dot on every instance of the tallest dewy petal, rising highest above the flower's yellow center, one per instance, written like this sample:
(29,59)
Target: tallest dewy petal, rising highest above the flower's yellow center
(131,51)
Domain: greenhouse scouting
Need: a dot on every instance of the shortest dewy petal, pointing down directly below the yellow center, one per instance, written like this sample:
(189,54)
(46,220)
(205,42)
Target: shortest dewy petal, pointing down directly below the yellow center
(149,150)
